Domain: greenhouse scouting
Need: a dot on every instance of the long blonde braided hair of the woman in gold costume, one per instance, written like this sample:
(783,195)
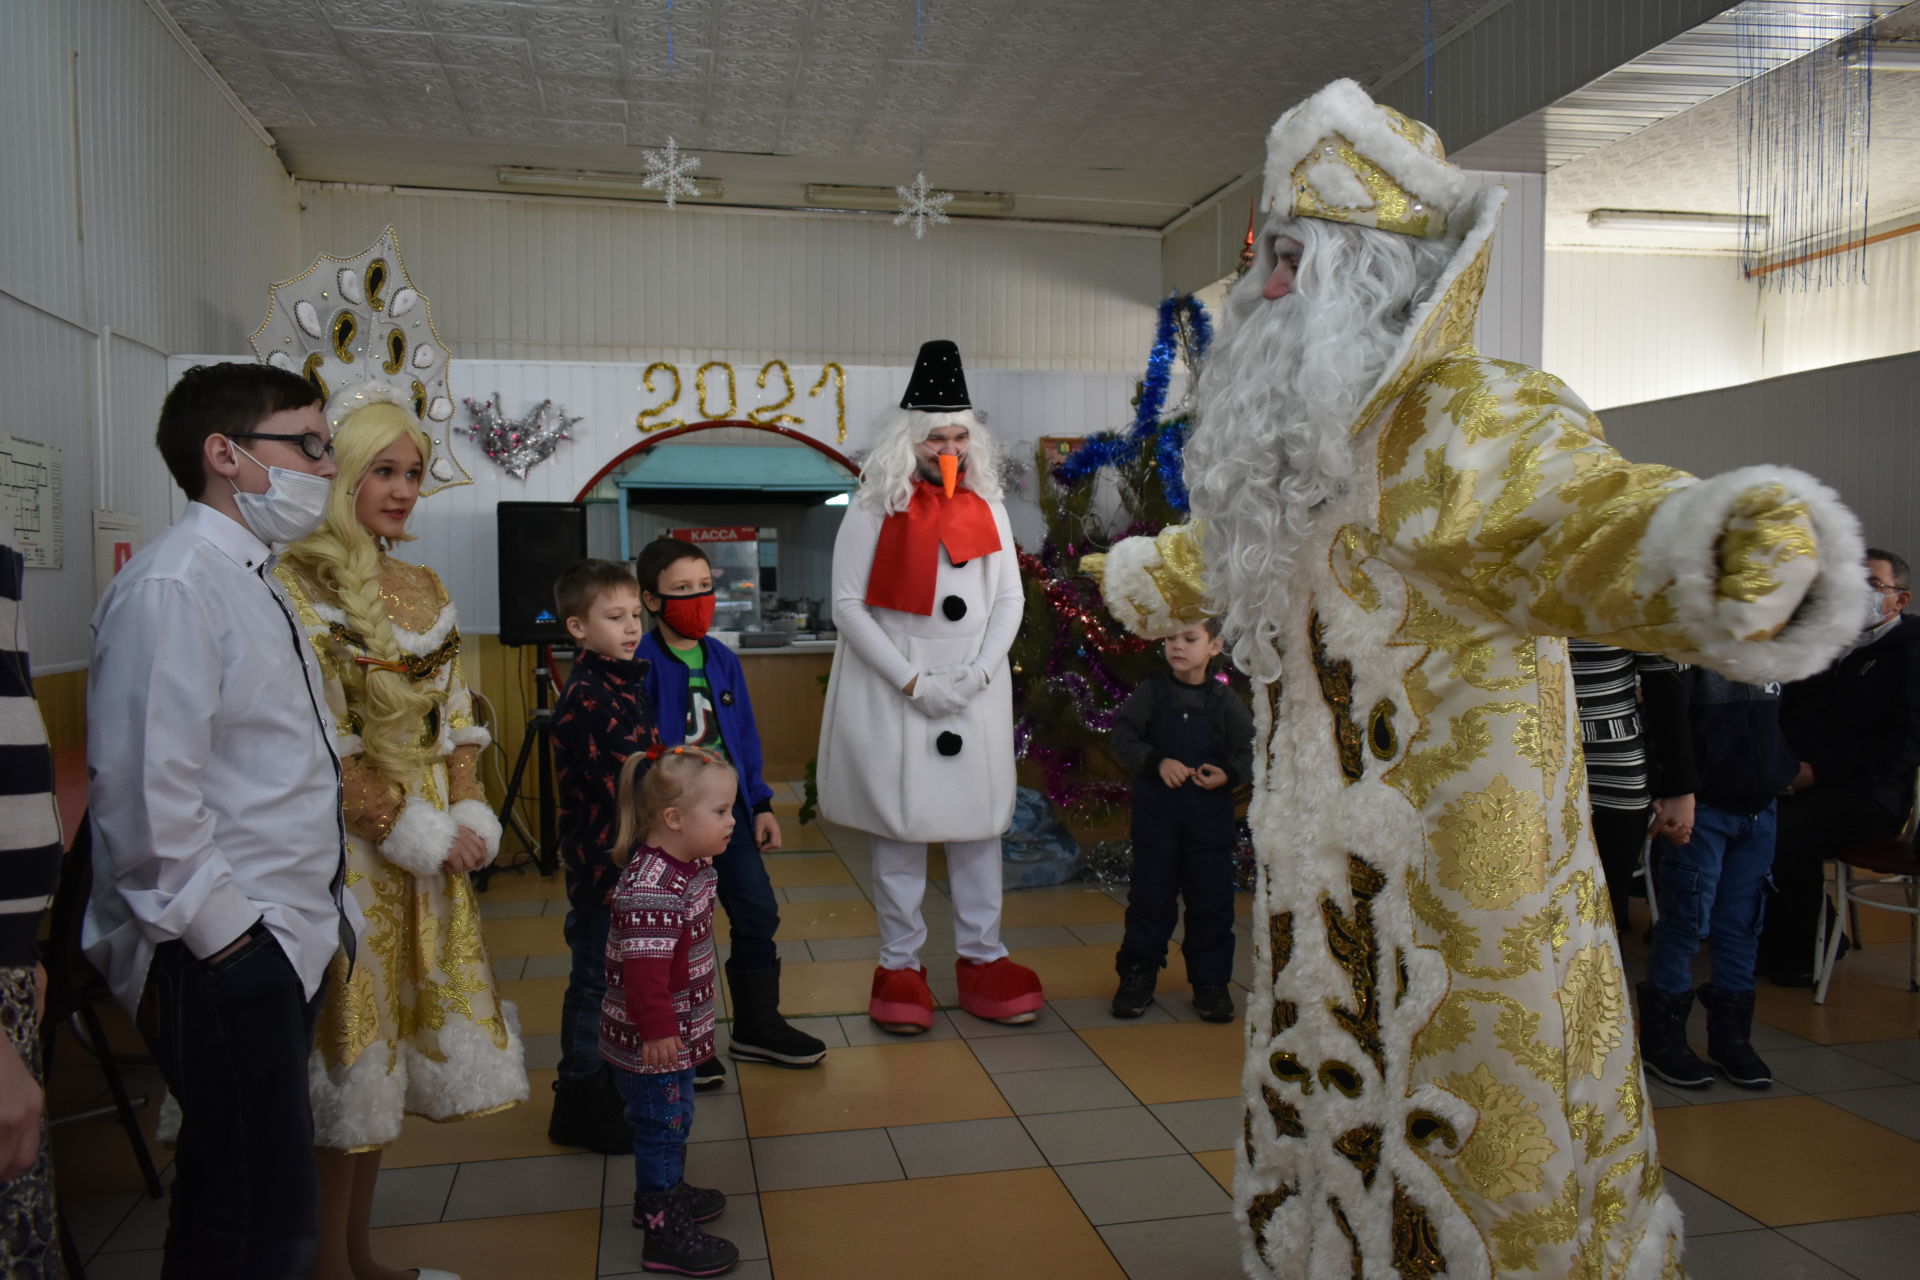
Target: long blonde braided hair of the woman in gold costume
(347,561)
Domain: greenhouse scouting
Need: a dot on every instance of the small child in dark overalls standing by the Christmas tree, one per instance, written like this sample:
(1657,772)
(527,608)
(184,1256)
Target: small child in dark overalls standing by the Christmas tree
(1189,742)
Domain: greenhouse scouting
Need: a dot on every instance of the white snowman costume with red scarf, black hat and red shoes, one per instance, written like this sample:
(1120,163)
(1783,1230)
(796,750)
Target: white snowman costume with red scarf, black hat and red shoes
(926,596)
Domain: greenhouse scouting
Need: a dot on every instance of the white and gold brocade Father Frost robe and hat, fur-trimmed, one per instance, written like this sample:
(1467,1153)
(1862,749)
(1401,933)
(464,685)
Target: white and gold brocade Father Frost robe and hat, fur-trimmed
(1443,1074)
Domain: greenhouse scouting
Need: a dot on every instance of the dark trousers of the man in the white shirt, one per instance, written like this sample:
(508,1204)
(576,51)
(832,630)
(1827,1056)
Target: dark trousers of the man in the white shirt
(233,1045)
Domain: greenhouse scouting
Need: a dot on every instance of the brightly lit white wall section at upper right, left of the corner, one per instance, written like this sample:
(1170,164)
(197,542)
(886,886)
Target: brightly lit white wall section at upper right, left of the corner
(1635,327)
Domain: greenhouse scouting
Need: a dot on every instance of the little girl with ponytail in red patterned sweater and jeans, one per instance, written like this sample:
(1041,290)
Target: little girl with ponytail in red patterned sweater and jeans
(658,1020)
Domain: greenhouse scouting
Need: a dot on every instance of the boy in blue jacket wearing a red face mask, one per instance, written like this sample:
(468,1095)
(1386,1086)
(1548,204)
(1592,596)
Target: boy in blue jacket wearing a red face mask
(700,694)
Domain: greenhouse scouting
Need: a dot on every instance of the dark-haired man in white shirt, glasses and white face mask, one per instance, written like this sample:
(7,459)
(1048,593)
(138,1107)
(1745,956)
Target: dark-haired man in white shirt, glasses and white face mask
(216,815)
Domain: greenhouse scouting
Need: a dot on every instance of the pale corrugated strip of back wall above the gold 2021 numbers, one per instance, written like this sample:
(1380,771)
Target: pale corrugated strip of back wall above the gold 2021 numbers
(558,279)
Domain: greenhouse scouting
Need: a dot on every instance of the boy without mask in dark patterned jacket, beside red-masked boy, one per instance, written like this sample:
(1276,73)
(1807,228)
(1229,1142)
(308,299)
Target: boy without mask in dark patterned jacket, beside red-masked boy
(604,717)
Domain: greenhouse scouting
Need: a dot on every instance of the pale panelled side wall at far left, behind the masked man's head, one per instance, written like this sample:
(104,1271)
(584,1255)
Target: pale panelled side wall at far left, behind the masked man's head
(139,214)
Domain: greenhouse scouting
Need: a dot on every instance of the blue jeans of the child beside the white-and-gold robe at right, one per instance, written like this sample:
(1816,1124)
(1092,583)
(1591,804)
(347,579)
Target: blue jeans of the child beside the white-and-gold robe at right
(1712,889)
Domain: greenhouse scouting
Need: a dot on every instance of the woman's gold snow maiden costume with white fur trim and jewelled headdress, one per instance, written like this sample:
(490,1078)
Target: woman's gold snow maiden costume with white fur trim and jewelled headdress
(418,1028)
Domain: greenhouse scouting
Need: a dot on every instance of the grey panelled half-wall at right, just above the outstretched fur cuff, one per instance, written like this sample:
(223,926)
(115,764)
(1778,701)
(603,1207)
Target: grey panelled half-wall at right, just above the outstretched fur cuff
(1850,425)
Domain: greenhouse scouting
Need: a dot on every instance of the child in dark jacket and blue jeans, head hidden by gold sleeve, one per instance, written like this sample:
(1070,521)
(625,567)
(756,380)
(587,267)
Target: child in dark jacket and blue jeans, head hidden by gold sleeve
(1712,857)
